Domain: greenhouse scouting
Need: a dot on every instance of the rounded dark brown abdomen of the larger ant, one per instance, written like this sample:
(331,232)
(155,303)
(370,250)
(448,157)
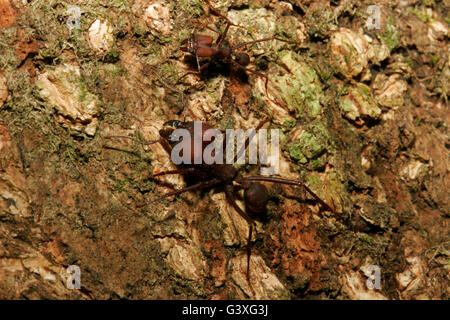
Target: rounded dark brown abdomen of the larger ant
(256,198)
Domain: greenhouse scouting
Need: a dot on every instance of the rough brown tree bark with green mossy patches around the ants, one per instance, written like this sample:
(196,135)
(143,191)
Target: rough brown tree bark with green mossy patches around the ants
(364,114)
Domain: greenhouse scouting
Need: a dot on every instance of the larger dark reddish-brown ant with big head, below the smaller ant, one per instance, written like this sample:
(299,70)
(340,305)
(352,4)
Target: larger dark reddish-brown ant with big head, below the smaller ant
(225,175)
